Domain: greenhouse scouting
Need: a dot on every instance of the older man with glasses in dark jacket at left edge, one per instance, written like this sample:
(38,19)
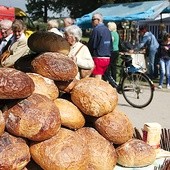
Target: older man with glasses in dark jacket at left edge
(6,33)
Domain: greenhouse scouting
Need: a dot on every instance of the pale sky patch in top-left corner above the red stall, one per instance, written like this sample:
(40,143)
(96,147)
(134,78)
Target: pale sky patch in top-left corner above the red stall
(14,3)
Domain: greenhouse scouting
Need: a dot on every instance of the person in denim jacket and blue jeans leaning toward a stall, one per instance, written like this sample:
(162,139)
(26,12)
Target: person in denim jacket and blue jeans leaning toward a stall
(148,41)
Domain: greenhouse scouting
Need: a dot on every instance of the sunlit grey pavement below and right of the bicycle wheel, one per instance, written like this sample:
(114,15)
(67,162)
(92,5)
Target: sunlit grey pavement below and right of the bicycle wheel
(157,111)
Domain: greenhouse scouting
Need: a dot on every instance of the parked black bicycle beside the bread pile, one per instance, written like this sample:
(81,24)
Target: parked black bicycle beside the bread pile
(136,87)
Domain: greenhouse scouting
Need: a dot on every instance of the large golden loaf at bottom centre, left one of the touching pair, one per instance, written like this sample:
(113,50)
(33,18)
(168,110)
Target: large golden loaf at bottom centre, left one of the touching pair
(66,150)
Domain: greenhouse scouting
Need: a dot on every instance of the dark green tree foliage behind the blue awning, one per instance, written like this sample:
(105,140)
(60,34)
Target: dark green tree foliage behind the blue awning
(38,9)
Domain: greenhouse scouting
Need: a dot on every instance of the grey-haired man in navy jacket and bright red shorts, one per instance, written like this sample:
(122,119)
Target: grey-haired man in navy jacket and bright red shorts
(100,45)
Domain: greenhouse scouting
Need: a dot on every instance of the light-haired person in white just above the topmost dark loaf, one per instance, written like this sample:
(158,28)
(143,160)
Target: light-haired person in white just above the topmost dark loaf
(52,26)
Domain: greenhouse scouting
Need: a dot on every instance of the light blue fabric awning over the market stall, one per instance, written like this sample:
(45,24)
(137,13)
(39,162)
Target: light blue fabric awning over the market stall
(134,11)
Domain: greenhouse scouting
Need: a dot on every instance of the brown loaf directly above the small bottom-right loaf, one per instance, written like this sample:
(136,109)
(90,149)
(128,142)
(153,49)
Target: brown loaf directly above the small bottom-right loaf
(115,126)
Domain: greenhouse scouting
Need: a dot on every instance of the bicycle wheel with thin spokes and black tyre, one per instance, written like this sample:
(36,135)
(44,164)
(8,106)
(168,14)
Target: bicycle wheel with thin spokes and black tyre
(137,89)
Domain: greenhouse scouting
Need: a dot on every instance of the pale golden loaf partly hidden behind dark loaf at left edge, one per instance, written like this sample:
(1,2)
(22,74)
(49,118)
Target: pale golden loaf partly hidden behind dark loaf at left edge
(44,85)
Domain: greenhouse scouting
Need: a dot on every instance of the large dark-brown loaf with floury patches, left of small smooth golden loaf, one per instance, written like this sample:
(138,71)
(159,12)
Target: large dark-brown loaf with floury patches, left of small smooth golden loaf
(36,118)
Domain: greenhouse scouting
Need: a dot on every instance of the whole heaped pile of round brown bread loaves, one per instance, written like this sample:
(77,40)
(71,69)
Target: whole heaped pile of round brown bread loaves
(81,129)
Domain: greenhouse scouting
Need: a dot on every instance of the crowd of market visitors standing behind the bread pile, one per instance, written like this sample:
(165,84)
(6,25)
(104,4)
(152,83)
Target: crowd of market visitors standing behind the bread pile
(100,54)
